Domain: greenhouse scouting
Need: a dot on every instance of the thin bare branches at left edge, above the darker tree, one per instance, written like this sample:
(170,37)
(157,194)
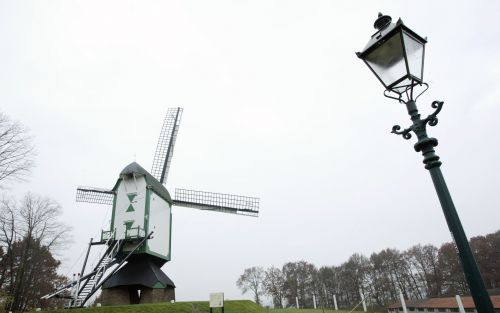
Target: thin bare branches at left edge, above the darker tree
(16,150)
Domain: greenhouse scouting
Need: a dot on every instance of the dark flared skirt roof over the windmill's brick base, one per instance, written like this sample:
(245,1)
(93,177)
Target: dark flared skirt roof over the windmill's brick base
(139,272)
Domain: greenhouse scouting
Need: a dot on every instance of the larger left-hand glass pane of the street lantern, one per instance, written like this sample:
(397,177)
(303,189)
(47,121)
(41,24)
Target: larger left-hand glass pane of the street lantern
(387,60)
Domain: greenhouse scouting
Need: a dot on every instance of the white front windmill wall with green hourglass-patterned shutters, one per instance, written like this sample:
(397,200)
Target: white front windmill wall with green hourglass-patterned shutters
(121,215)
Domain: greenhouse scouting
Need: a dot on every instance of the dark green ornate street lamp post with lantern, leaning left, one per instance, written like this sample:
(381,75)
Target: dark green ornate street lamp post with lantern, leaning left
(395,54)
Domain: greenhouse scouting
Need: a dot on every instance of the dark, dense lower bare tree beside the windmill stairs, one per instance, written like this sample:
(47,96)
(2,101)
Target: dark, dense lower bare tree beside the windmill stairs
(30,233)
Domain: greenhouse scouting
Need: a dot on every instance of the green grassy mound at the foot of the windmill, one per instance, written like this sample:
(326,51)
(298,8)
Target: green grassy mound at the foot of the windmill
(234,306)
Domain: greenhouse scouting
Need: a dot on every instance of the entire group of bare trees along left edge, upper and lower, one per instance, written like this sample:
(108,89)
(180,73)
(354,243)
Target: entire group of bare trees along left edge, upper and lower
(30,232)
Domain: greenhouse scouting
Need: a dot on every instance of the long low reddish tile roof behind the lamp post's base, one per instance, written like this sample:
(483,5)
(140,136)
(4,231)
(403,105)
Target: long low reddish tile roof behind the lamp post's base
(450,303)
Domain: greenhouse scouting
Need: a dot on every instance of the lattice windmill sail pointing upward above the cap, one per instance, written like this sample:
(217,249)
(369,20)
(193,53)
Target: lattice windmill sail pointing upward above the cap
(165,146)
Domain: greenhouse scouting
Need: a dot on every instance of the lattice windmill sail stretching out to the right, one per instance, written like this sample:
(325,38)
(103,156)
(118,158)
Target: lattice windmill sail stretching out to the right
(217,202)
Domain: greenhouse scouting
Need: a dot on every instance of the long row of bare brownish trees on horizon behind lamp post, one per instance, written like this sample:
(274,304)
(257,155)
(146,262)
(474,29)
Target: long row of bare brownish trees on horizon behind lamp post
(422,271)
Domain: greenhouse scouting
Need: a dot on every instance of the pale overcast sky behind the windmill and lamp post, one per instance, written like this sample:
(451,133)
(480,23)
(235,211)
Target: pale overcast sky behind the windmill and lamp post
(276,105)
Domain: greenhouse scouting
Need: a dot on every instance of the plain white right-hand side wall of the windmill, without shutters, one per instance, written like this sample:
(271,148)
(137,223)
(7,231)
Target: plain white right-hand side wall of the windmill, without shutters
(159,222)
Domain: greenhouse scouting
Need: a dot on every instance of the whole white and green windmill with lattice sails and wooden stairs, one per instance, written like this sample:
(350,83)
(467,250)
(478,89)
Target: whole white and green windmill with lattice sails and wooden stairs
(138,240)
